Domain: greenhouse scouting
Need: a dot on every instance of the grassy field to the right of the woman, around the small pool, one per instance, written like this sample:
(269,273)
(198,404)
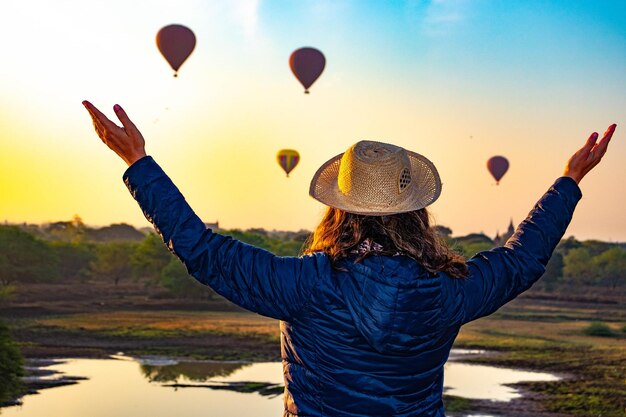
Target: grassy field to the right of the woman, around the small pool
(550,336)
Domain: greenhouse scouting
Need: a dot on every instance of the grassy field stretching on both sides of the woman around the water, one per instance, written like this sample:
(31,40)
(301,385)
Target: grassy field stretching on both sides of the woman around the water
(538,334)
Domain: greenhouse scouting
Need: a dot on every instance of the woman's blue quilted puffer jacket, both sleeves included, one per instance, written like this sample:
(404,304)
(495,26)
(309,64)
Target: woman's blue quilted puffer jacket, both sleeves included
(370,341)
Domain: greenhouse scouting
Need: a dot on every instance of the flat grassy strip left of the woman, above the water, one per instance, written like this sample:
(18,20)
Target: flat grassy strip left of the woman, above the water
(201,335)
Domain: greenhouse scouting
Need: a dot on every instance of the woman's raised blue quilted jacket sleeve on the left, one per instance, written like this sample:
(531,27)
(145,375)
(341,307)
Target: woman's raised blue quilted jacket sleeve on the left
(250,277)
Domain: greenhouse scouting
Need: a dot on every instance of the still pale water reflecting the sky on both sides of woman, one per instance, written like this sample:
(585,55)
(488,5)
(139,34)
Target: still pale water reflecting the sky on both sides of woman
(127,386)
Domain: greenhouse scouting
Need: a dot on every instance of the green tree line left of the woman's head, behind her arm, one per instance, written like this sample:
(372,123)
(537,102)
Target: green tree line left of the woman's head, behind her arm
(65,252)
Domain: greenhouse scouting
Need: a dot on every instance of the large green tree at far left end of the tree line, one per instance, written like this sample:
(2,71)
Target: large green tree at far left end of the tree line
(24,258)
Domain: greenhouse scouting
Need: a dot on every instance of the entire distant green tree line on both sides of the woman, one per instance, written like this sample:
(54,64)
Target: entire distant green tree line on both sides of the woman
(69,251)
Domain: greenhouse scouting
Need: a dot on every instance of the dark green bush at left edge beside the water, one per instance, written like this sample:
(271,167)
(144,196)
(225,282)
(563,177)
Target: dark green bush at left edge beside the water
(11,366)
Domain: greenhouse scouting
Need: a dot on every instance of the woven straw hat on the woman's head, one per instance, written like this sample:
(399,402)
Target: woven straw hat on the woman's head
(376,179)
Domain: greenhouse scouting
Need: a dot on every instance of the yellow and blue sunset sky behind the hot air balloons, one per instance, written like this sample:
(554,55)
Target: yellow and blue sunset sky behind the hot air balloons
(457,81)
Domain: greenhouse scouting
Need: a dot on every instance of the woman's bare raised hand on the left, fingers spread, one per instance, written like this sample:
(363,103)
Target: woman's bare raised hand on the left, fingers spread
(126,141)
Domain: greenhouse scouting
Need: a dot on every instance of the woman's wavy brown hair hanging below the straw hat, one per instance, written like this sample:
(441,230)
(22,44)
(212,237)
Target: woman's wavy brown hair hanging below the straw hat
(339,233)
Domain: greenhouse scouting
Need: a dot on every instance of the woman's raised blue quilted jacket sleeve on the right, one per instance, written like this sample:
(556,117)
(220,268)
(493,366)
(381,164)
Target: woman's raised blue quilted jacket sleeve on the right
(499,275)
